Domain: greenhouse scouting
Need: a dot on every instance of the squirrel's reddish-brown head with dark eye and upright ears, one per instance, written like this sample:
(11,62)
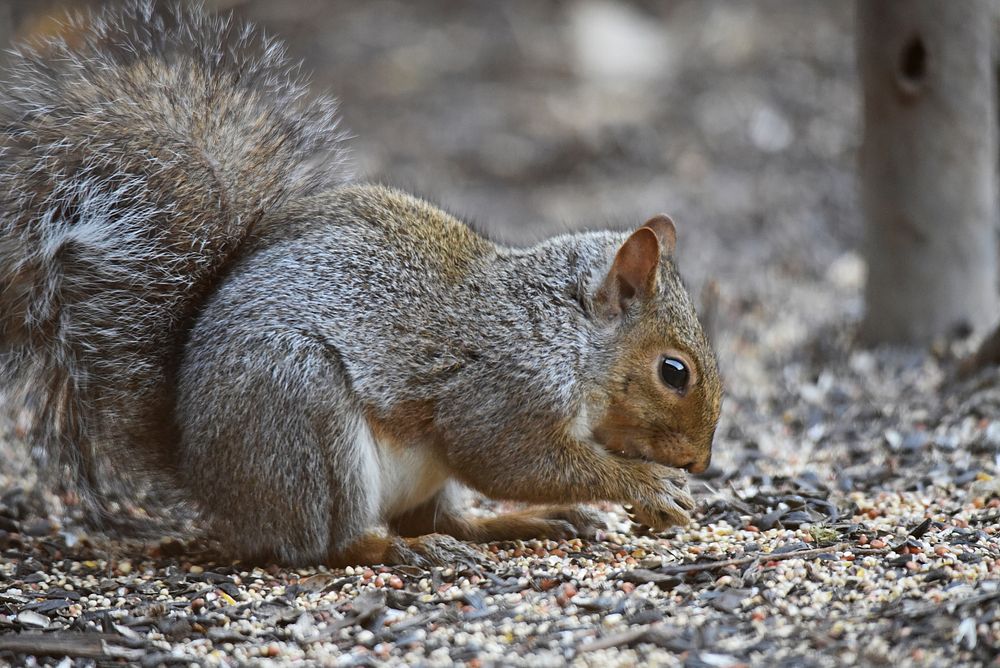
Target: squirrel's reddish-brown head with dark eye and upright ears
(662,394)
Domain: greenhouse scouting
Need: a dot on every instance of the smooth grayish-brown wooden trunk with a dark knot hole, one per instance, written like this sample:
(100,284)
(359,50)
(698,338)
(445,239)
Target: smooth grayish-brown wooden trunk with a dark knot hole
(928,167)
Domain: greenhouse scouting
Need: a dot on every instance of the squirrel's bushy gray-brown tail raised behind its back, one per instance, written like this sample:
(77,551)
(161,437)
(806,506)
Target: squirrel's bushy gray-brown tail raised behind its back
(137,155)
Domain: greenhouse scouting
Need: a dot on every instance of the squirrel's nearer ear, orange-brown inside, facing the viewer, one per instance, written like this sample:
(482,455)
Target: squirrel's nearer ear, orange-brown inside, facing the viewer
(632,275)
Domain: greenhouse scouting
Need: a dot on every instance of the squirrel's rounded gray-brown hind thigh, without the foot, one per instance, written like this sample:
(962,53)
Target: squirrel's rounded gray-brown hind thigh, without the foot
(275,464)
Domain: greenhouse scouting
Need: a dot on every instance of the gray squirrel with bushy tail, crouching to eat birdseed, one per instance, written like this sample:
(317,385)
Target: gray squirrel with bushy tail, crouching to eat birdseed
(194,293)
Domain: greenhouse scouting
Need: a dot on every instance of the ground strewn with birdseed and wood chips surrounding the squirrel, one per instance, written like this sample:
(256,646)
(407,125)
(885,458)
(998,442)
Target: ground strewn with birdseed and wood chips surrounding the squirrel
(851,515)
